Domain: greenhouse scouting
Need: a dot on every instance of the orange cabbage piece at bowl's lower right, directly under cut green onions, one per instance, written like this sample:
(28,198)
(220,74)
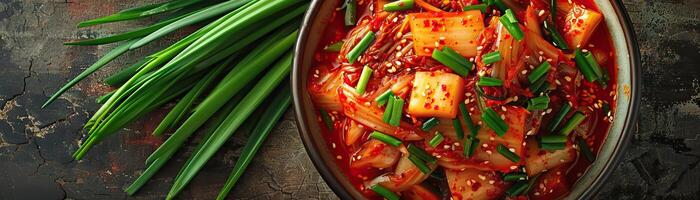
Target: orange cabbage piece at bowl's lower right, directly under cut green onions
(537,160)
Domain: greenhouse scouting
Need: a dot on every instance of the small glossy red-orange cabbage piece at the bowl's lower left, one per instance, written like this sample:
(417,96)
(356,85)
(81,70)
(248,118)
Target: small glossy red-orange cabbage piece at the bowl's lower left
(377,154)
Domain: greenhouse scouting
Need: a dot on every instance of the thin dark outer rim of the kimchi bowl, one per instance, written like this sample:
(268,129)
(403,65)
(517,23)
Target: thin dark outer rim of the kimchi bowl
(617,153)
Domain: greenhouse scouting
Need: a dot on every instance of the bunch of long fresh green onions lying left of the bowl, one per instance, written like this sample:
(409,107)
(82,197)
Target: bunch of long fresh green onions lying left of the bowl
(241,46)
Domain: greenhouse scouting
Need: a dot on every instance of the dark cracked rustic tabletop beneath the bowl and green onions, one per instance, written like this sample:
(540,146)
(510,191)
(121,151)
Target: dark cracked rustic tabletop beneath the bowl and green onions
(35,144)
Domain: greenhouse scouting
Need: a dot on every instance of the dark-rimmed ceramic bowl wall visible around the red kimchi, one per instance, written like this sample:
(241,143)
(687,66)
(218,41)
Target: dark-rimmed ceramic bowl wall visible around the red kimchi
(625,116)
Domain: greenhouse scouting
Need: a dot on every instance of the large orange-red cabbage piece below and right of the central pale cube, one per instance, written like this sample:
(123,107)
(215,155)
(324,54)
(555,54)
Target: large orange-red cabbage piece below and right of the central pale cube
(485,156)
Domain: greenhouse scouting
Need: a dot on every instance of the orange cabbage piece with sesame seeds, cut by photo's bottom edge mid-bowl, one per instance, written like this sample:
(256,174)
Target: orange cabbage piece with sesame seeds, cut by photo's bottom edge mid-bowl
(474,184)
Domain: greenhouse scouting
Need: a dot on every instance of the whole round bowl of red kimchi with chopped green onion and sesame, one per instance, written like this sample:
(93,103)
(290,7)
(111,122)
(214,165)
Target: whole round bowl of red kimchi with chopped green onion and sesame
(466,99)
